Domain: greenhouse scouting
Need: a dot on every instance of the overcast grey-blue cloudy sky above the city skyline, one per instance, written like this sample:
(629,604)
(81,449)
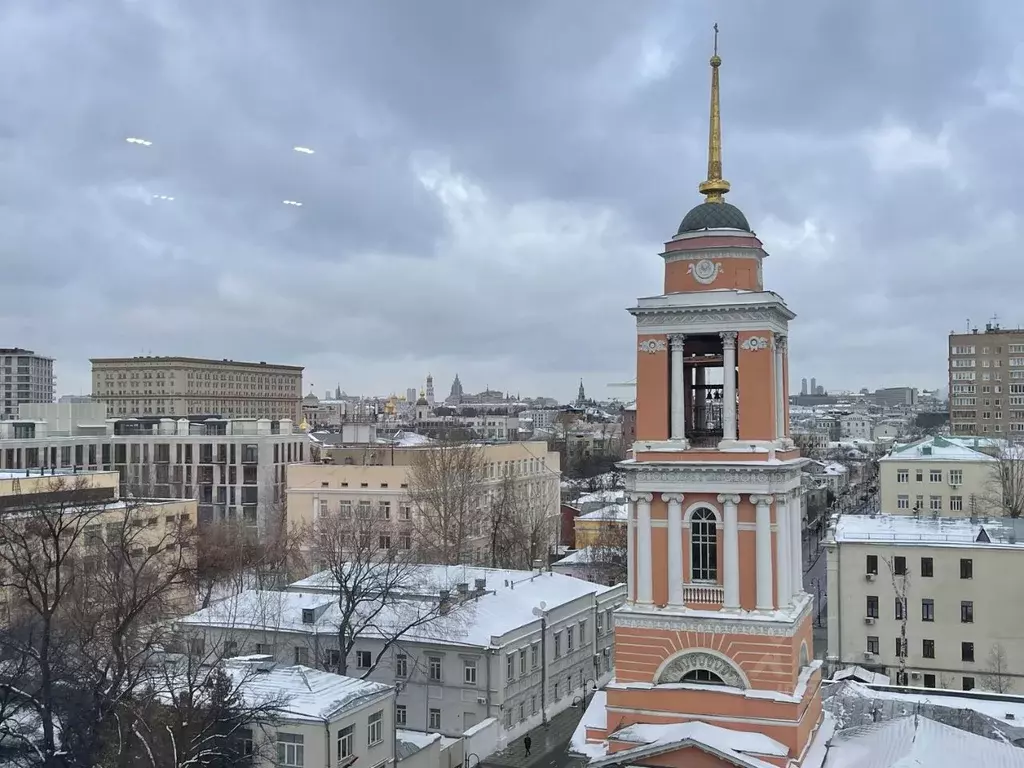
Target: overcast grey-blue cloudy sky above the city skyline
(493,182)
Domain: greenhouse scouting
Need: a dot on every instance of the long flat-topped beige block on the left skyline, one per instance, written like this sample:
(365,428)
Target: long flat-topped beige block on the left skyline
(190,387)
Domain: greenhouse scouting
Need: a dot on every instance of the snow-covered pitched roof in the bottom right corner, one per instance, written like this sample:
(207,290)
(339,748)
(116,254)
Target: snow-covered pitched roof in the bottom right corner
(917,741)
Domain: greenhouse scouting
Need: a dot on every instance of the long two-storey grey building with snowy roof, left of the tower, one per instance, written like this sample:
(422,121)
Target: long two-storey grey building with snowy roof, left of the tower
(518,647)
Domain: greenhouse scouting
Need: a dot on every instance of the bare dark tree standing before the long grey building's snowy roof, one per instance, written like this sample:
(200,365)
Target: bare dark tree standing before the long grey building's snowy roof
(370,563)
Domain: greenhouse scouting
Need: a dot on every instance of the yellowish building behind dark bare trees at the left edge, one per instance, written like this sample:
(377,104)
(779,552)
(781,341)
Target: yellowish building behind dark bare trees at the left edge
(95,497)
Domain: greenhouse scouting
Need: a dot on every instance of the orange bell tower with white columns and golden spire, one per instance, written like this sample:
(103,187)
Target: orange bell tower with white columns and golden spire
(717,627)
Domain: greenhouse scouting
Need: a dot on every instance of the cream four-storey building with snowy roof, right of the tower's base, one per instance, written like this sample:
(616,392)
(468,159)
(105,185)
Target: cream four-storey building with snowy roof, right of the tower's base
(949,581)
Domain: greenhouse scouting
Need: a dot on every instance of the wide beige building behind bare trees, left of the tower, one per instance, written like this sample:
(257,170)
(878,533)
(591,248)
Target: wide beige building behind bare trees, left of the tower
(360,479)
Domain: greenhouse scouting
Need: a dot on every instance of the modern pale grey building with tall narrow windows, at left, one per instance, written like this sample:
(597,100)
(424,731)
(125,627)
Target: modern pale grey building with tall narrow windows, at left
(235,468)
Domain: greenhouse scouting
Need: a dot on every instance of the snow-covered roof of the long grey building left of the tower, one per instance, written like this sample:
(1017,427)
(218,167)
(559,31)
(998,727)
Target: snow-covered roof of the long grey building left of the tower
(475,622)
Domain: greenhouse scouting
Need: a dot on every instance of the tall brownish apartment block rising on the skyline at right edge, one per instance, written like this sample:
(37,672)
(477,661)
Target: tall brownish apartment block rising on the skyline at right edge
(987,382)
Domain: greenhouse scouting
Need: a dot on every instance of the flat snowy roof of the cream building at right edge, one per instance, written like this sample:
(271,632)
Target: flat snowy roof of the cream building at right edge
(952,532)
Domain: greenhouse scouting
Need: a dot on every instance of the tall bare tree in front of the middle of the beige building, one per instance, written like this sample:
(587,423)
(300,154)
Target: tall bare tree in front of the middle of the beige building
(445,488)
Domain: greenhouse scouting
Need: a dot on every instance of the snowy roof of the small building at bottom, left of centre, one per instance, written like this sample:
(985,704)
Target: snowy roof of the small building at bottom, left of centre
(306,693)
